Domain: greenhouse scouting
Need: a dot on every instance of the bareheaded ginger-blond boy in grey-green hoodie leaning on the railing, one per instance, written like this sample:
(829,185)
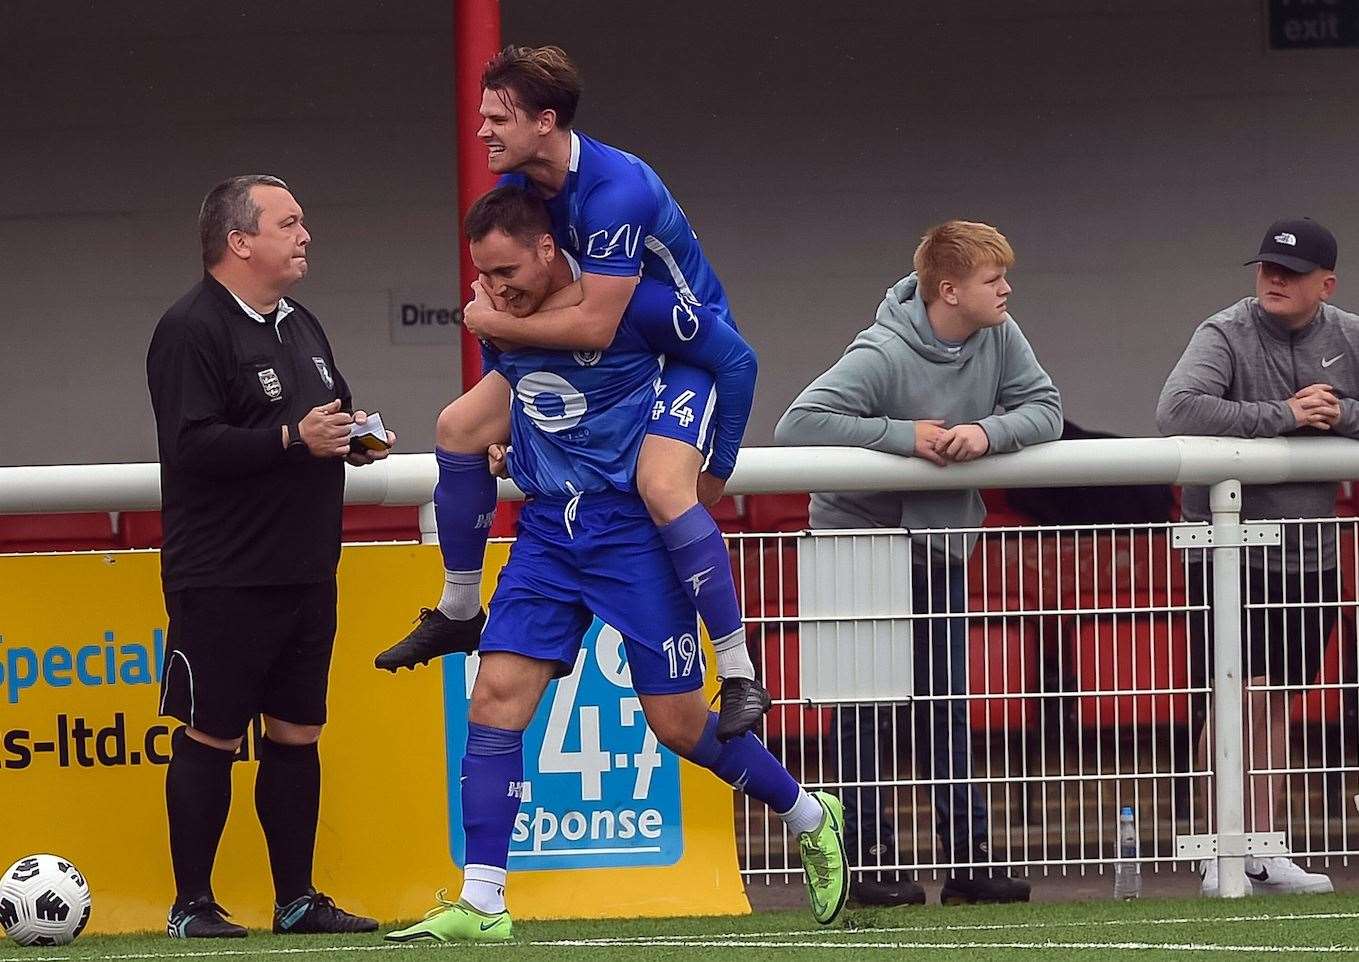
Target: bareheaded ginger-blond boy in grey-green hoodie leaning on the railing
(944,374)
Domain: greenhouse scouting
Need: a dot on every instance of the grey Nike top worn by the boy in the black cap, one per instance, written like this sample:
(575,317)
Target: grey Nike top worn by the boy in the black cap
(1235,381)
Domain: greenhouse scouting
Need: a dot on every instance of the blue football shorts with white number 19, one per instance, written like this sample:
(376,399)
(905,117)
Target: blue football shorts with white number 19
(597,555)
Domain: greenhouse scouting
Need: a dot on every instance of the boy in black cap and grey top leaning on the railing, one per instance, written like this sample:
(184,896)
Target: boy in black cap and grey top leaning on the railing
(1284,362)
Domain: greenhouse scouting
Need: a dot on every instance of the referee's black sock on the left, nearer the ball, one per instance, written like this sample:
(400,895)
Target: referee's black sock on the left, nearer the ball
(198,800)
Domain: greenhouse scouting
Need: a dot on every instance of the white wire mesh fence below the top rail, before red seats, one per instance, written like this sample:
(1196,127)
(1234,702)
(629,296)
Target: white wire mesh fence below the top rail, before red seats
(1087,685)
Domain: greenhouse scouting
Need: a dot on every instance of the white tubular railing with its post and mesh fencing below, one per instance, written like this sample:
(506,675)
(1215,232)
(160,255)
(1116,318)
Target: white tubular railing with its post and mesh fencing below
(1050,793)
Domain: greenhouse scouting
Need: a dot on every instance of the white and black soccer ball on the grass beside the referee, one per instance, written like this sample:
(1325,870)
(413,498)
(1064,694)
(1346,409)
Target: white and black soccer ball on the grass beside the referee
(44,902)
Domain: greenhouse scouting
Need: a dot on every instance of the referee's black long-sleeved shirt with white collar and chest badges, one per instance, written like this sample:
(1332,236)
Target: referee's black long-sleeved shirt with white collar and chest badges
(237,509)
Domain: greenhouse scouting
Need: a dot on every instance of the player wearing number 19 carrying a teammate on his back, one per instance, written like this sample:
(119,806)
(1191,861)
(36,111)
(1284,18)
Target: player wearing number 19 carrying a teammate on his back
(588,547)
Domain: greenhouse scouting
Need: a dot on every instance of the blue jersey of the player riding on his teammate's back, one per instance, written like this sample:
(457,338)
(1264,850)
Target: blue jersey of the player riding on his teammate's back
(616,217)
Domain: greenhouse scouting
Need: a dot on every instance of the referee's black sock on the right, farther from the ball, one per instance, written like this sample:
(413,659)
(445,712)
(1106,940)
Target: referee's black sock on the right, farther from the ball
(289,804)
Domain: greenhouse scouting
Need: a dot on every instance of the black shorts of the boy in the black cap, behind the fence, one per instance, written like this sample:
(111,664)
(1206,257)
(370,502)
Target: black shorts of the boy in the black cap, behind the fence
(1286,620)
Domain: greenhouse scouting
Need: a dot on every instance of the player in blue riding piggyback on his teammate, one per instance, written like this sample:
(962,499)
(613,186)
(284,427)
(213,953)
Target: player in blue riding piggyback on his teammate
(618,219)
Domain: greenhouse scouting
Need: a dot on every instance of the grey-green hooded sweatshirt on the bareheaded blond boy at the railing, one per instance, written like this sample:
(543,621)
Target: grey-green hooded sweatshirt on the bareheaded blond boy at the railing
(898,372)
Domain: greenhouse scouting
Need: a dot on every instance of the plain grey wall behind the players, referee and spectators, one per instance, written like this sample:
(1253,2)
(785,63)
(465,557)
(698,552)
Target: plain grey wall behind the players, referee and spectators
(1134,152)
